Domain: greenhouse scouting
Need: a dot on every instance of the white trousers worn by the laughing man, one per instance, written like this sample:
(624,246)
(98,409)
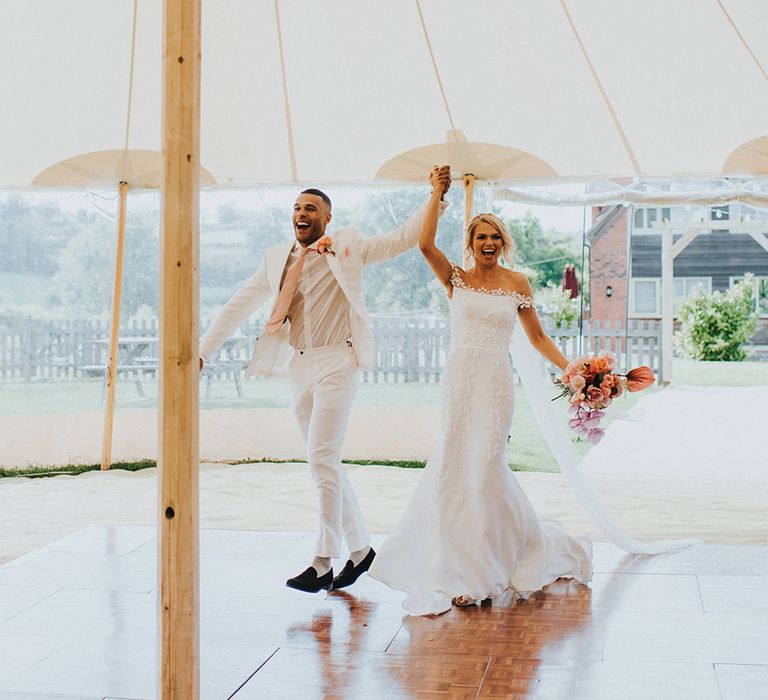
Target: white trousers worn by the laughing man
(323,385)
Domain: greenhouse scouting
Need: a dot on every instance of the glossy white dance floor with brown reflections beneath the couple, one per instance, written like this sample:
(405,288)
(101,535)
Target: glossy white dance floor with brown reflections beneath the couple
(77,621)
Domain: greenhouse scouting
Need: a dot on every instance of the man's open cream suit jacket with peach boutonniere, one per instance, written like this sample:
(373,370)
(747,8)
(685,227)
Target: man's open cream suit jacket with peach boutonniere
(271,352)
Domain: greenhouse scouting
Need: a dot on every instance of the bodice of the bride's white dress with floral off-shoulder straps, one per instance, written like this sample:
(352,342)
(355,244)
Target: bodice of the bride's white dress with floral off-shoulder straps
(481,317)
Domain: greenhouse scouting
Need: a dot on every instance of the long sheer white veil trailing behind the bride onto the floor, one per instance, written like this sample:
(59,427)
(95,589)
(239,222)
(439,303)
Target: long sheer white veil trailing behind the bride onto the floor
(539,389)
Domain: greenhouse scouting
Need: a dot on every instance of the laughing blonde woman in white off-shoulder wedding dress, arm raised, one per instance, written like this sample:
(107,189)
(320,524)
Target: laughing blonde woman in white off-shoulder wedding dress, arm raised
(469,532)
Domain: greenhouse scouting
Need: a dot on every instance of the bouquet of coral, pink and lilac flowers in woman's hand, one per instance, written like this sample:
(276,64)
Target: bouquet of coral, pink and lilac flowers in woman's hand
(592,385)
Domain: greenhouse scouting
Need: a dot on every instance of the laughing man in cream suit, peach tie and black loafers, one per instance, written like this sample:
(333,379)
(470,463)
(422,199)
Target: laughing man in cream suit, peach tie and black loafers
(319,331)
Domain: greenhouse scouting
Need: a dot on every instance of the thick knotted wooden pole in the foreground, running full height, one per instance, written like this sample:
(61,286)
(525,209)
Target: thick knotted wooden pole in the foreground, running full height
(178,405)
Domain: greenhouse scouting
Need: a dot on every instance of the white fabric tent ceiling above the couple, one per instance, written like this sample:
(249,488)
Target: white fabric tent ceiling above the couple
(593,89)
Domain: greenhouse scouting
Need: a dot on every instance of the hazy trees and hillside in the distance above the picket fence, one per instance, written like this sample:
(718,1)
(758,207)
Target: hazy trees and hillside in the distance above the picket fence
(57,263)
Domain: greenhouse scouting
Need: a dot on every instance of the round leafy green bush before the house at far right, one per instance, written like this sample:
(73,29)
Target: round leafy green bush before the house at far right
(716,326)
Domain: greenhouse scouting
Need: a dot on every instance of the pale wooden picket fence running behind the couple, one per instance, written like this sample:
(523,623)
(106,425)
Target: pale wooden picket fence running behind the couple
(408,348)
